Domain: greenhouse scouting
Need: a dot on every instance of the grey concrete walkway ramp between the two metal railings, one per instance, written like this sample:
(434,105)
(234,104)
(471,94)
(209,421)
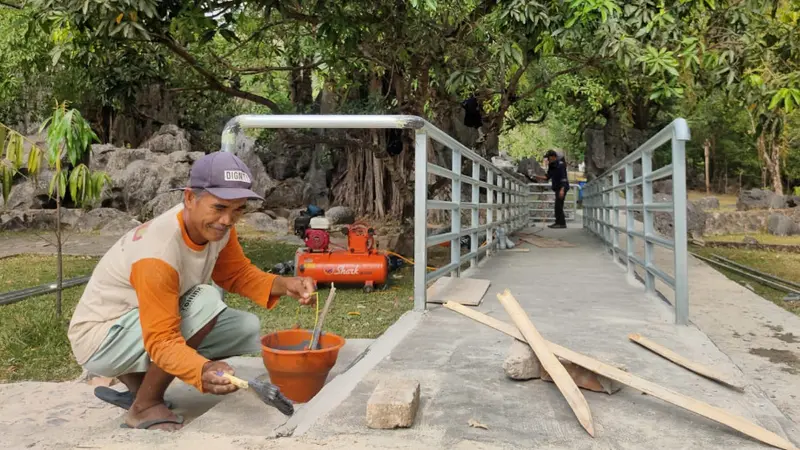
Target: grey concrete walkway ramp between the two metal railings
(577,298)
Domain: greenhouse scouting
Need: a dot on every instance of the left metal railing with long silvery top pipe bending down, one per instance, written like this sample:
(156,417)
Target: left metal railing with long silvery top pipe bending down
(505,193)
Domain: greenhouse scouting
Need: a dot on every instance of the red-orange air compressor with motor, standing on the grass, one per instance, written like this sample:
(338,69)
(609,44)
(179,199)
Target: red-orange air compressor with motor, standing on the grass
(360,263)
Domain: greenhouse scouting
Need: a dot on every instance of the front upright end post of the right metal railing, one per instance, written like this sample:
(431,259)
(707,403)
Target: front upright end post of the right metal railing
(681,250)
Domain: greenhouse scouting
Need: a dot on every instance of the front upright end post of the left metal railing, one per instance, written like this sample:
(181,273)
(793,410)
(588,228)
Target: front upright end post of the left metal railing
(420,218)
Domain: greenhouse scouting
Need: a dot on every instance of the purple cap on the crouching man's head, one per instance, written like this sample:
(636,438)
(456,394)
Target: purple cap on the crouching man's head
(223,175)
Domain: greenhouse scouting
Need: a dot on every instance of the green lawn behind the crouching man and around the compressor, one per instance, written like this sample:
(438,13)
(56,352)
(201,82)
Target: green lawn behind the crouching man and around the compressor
(34,345)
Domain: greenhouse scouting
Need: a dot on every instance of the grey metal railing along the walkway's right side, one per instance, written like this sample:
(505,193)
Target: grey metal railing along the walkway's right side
(602,204)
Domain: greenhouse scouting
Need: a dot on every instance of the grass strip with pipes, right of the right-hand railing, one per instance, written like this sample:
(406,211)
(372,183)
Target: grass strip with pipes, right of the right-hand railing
(784,265)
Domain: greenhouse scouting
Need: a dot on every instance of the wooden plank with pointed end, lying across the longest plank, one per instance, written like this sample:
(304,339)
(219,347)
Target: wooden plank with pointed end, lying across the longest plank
(549,362)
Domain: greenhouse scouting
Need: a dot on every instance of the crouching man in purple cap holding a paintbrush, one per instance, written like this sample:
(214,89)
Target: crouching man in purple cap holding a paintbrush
(149,312)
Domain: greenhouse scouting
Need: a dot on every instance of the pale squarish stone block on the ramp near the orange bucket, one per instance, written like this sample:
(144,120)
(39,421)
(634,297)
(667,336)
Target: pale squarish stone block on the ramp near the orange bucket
(393,404)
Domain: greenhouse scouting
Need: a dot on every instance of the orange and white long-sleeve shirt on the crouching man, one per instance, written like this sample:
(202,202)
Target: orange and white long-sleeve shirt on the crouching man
(150,268)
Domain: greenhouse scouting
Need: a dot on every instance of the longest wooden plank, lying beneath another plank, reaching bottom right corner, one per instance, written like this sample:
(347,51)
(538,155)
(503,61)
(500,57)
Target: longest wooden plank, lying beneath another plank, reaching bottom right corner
(640,384)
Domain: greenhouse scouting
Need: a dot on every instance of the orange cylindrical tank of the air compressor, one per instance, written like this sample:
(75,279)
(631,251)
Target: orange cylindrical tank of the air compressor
(342,267)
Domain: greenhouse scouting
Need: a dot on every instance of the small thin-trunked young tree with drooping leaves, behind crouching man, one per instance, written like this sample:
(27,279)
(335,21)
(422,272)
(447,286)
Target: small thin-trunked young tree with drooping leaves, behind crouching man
(69,135)
